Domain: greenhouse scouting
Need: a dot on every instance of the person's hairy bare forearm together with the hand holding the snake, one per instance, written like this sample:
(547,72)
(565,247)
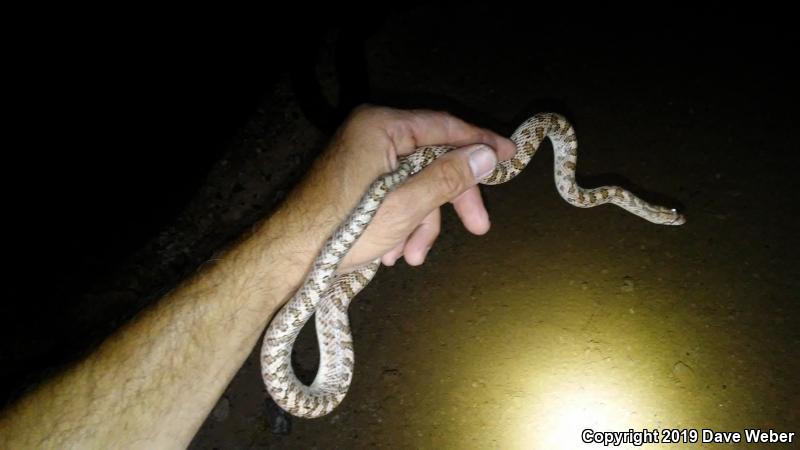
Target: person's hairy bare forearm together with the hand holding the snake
(152,383)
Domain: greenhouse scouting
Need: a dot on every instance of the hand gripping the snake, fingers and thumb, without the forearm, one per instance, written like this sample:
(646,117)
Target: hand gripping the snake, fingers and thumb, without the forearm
(408,222)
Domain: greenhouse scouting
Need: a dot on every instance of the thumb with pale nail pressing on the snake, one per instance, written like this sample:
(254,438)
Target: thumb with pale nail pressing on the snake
(447,178)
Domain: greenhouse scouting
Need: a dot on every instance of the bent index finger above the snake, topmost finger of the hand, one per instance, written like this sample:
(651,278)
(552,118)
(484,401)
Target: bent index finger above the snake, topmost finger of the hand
(418,128)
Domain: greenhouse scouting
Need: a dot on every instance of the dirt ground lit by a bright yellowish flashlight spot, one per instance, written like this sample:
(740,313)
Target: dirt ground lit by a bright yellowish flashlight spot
(559,319)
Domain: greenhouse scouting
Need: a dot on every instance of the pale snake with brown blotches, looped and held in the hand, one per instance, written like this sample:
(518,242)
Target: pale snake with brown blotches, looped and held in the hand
(327,294)
